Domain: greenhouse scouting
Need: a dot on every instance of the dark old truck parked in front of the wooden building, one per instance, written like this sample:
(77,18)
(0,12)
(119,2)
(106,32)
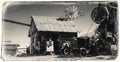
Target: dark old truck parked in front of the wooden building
(77,46)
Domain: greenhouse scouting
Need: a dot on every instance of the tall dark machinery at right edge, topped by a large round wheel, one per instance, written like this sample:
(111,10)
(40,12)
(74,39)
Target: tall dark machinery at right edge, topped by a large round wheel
(105,15)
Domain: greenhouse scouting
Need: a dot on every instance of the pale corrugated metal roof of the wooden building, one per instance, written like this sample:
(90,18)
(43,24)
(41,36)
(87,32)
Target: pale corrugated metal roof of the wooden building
(52,24)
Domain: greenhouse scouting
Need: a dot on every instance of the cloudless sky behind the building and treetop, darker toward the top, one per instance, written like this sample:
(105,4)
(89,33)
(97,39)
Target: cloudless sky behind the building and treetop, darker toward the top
(21,12)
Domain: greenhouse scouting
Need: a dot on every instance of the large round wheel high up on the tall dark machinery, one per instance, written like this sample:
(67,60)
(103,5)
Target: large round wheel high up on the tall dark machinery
(99,14)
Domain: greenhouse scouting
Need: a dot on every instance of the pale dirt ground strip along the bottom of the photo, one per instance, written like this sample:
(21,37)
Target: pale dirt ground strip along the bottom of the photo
(57,58)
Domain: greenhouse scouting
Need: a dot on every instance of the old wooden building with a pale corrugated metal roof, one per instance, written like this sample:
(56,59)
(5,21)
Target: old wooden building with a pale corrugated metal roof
(44,28)
